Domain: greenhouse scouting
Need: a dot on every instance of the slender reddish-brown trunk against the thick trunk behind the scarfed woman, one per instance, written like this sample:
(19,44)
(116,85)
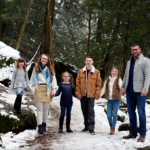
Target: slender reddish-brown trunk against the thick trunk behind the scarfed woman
(51,33)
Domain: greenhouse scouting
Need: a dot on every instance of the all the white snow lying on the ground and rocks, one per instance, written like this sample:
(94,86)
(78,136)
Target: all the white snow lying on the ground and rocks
(69,141)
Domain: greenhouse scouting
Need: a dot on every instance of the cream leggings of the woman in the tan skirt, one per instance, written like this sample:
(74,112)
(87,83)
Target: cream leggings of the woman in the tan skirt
(42,111)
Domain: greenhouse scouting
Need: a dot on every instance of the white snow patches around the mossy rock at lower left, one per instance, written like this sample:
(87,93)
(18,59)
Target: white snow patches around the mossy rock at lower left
(11,141)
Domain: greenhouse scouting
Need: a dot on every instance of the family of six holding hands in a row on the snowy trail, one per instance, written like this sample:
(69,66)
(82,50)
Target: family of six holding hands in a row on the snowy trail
(135,85)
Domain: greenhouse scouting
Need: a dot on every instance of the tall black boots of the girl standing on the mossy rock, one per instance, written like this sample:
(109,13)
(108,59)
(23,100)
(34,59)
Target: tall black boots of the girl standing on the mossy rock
(17,105)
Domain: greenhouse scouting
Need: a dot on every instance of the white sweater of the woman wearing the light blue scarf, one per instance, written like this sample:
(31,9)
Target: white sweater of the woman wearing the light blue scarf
(42,79)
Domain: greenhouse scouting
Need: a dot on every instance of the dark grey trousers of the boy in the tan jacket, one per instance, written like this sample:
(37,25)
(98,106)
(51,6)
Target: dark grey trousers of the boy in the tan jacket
(87,107)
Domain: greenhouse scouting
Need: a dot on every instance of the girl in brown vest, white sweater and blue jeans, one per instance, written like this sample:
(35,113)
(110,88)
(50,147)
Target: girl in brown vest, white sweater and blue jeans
(111,89)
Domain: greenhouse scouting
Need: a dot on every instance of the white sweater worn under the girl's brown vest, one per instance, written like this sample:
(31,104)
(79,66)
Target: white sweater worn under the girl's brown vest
(111,82)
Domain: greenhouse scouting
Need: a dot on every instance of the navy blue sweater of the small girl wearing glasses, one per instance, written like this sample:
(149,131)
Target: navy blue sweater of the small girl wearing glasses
(67,92)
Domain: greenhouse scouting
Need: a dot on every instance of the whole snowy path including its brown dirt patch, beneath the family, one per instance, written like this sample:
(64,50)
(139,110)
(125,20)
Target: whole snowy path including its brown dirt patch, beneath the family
(52,140)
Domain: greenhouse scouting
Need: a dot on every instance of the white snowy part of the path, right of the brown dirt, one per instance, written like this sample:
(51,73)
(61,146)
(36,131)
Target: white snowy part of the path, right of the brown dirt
(101,140)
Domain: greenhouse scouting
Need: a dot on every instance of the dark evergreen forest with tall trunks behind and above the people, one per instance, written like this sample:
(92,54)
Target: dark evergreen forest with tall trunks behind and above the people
(68,30)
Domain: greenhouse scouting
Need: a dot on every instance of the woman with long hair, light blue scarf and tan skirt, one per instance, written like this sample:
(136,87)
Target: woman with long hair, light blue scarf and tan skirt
(44,81)
